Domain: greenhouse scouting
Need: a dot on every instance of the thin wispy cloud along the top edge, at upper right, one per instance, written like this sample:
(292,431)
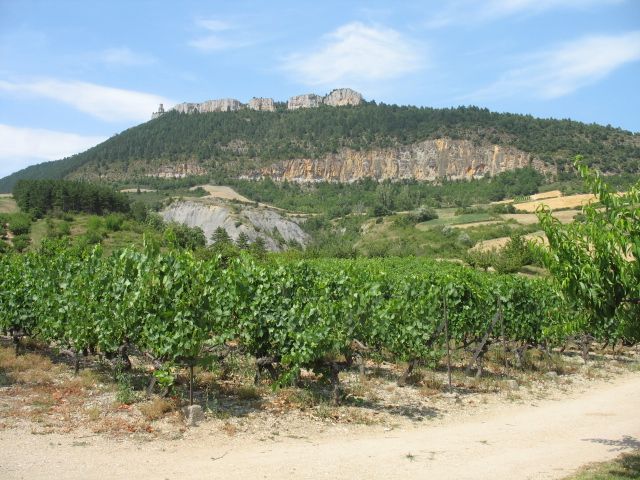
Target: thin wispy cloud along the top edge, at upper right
(472,11)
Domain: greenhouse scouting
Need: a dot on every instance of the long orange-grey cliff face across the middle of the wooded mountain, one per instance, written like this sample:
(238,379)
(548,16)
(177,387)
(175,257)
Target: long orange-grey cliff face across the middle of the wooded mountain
(428,160)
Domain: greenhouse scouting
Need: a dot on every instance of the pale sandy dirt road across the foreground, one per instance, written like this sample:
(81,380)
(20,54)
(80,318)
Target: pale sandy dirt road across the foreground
(547,439)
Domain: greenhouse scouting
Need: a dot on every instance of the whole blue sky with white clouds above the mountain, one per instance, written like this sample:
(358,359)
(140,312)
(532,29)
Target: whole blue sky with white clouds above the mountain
(74,73)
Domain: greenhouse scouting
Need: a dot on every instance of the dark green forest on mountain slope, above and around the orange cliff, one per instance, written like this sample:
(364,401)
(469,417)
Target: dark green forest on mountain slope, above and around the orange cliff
(226,144)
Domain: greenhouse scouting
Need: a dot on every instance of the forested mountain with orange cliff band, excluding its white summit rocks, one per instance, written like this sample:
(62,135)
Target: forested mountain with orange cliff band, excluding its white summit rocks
(343,143)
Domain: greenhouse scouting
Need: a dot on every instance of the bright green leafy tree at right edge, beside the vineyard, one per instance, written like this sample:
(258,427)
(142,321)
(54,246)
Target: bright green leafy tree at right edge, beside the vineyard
(596,261)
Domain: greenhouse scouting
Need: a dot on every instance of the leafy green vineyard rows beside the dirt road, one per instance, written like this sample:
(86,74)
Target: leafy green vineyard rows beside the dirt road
(320,315)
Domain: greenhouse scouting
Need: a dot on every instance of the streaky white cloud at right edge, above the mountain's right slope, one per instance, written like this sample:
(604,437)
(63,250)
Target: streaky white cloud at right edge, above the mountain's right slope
(566,68)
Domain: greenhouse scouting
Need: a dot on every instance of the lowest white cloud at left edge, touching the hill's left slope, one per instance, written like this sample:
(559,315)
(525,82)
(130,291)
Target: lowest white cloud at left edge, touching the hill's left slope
(21,147)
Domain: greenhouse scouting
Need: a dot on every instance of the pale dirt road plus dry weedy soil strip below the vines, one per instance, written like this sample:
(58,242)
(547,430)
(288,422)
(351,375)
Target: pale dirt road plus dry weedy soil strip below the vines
(57,425)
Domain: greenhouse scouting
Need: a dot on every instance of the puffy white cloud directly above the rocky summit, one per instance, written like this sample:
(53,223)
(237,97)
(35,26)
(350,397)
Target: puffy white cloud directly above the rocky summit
(356,54)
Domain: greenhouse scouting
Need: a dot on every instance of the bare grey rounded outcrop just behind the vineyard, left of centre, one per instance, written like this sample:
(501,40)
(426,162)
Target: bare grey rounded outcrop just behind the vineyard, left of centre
(276,230)
